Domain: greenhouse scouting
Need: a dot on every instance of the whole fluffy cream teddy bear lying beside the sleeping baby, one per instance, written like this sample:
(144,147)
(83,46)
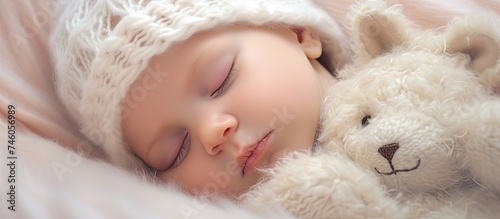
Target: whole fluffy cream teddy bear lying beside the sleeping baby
(411,130)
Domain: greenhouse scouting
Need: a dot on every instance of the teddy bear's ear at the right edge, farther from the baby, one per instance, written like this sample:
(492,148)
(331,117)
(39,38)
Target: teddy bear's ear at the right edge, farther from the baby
(477,36)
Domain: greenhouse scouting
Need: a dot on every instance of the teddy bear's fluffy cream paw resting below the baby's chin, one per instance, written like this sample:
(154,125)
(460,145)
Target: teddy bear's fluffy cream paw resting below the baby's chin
(323,186)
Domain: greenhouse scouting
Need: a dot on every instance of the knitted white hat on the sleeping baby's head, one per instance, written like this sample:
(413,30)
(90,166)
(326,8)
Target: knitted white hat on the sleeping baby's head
(101,46)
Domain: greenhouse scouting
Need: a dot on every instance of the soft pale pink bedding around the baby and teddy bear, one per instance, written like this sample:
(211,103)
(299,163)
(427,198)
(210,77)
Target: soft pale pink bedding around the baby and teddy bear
(51,171)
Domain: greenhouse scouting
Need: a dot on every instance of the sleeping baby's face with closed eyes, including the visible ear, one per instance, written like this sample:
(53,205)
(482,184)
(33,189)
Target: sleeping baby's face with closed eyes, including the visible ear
(214,108)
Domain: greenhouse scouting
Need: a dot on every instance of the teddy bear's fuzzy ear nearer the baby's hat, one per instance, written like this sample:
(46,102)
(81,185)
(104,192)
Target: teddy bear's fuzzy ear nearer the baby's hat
(377,29)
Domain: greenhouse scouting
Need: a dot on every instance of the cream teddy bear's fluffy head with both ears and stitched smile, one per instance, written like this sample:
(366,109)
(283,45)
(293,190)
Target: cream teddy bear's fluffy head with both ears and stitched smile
(397,110)
